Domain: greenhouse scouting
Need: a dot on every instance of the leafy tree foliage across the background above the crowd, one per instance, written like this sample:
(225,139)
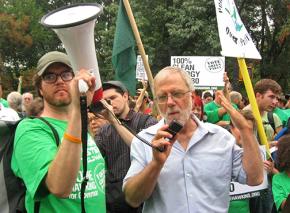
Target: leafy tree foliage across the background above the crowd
(167,28)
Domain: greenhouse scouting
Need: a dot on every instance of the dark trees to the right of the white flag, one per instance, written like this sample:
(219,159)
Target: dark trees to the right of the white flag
(268,24)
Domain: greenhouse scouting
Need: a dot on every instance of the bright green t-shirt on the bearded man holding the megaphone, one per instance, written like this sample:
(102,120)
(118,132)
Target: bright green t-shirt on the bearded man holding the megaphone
(35,149)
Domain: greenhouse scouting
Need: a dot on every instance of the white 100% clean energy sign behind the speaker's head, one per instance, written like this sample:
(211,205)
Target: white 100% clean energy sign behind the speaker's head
(206,72)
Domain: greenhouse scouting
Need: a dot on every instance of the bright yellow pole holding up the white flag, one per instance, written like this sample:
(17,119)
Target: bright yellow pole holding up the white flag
(254,105)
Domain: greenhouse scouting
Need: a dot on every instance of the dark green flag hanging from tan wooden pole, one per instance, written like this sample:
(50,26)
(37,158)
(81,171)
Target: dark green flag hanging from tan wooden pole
(124,56)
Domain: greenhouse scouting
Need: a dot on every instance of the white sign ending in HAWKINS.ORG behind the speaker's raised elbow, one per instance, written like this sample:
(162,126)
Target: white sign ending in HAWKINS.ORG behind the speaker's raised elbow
(240,191)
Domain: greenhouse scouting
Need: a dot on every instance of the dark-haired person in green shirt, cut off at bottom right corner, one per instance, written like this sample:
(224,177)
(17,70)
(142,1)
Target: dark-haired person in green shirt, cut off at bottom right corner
(281,181)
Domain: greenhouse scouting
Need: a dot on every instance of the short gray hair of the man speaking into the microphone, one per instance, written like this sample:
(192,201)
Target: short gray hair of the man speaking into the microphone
(171,70)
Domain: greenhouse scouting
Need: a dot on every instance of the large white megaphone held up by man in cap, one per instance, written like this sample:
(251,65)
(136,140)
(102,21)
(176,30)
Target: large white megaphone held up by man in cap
(74,25)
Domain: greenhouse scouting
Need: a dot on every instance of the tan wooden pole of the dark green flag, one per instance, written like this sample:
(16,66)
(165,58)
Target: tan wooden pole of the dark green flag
(139,43)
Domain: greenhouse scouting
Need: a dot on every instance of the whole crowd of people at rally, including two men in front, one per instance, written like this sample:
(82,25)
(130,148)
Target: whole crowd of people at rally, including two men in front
(188,172)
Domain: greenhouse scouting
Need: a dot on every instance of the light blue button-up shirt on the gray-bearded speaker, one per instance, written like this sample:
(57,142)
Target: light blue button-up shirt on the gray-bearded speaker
(192,180)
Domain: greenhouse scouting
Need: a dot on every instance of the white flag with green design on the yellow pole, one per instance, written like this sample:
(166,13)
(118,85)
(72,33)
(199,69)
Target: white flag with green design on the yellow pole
(234,37)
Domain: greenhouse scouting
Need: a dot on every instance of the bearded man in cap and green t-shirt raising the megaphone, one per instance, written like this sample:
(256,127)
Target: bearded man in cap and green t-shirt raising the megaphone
(53,175)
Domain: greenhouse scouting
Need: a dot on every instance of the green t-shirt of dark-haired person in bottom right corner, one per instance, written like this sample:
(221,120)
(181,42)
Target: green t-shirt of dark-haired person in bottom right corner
(280,188)
